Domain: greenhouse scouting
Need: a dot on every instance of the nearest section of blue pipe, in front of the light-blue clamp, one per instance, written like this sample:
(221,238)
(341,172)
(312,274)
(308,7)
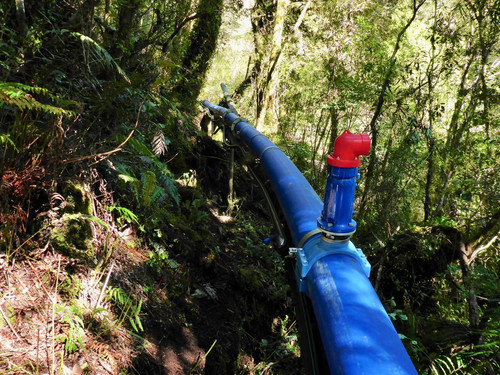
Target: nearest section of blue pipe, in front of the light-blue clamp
(357,335)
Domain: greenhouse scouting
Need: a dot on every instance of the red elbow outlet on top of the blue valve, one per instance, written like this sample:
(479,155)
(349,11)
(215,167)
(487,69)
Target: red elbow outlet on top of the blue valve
(347,149)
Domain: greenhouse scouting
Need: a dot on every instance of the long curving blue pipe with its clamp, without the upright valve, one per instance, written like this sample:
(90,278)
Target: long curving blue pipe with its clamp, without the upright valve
(357,335)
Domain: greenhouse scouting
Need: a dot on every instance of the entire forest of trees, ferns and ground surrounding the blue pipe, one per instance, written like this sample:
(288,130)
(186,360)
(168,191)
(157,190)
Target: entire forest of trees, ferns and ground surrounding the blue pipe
(114,207)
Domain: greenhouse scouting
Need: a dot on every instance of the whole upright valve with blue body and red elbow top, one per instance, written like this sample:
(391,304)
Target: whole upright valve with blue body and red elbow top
(336,221)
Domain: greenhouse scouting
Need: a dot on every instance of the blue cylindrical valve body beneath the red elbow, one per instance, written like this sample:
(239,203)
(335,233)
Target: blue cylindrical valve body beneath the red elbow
(336,216)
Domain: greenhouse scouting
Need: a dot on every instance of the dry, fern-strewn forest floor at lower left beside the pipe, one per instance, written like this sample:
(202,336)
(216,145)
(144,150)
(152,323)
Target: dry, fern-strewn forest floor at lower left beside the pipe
(214,303)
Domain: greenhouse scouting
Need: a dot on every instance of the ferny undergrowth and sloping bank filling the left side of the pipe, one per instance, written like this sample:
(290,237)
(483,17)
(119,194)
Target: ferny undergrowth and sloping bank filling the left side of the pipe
(116,252)
